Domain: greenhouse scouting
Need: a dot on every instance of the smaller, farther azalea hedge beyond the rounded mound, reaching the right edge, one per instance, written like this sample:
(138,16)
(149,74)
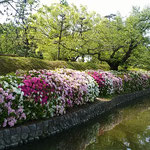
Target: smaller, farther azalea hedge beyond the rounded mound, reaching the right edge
(120,82)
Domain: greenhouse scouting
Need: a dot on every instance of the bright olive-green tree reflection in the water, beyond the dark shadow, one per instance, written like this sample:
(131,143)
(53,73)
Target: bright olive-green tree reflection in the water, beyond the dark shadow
(133,131)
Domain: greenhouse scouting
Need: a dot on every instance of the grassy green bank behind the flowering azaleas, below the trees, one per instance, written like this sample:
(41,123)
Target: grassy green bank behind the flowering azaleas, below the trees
(11,64)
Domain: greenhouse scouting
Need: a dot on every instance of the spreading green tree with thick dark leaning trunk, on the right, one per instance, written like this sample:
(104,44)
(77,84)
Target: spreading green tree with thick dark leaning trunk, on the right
(120,39)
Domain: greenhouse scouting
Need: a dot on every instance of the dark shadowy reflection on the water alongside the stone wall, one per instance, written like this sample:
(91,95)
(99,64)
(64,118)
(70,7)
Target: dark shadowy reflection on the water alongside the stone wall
(74,139)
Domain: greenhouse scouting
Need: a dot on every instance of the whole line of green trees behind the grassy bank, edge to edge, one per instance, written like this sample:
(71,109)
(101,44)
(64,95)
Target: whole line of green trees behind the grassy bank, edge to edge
(66,32)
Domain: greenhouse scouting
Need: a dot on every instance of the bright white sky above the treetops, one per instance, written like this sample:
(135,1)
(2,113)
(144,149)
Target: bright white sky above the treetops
(106,7)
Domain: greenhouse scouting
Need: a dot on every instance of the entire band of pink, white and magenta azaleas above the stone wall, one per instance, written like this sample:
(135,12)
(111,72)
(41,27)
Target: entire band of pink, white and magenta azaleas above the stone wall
(41,94)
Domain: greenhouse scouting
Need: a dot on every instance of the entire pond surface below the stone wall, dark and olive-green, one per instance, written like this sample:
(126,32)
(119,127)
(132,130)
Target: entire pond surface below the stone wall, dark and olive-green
(123,129)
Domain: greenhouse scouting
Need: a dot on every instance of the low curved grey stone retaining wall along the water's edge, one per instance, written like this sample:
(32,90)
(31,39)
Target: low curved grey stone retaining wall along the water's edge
(15,136)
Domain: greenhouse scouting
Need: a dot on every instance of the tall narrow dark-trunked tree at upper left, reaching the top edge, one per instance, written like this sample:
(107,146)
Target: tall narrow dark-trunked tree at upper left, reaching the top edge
(24,9)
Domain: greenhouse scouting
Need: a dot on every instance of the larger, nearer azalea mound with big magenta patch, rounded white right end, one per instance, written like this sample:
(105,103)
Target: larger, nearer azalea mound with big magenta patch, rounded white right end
(43,94)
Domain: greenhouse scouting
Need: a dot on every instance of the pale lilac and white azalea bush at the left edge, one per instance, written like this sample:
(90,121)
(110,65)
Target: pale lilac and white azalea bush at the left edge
(11,101)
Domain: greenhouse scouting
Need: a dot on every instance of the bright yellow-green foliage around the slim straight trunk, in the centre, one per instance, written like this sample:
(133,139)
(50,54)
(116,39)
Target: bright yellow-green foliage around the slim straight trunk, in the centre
(66,33)
